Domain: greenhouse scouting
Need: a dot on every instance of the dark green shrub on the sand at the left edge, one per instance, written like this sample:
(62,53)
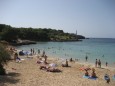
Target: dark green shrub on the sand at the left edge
(4,58)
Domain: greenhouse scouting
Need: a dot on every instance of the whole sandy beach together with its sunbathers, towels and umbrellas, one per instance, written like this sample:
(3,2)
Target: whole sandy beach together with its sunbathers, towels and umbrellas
(32,68)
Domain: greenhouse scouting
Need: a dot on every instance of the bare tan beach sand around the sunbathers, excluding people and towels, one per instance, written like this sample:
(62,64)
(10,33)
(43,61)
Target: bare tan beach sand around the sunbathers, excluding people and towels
(27,73)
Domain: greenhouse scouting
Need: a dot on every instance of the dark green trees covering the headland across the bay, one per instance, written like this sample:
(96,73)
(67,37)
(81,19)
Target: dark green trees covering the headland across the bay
(11,34)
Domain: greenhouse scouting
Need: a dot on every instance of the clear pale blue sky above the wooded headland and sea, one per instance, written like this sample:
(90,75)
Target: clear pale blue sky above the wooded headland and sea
(91,18)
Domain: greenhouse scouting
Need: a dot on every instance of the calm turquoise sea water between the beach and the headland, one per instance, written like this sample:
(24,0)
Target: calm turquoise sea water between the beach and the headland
(94,48)
